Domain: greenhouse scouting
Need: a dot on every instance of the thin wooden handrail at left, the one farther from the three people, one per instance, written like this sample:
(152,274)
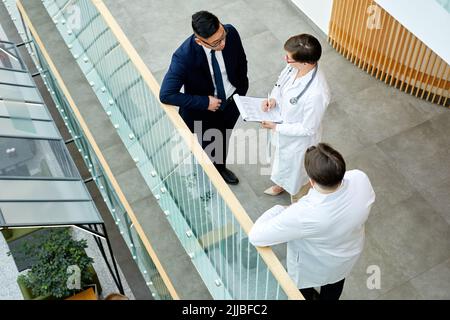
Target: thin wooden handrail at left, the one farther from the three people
(98,153)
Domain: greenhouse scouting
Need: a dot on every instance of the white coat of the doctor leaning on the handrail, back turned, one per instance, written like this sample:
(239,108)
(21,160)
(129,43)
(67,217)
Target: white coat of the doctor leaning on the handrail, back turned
(324,232)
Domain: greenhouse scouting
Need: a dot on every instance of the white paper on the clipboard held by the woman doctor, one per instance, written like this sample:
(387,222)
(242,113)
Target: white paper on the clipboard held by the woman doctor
(251,110)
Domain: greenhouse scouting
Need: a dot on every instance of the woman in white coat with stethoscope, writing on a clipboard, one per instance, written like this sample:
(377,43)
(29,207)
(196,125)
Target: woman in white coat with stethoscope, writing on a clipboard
(303,95)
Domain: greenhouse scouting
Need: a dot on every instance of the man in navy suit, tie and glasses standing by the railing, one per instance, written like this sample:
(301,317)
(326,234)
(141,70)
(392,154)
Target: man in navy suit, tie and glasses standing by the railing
(212,66)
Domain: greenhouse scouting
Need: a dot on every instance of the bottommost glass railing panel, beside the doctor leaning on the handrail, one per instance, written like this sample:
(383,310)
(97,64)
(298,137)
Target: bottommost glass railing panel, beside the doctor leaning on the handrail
(210,234)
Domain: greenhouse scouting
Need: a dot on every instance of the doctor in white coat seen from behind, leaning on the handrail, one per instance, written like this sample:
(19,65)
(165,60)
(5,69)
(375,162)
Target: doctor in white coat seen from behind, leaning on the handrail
(324,230)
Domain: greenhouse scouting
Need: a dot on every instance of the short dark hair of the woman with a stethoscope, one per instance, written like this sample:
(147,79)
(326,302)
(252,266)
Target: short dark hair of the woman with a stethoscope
(304,48)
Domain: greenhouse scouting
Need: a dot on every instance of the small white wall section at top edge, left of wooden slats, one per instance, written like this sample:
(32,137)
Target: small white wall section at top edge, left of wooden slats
(319,11)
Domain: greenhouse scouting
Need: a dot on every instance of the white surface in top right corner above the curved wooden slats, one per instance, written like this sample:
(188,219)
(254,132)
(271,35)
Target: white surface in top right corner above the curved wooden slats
(426,19)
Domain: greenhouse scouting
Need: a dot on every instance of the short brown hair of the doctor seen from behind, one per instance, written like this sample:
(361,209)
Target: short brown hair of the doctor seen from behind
(324,165)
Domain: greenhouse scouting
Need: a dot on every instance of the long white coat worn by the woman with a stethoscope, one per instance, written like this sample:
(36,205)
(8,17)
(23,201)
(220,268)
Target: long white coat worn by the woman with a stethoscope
(301,126)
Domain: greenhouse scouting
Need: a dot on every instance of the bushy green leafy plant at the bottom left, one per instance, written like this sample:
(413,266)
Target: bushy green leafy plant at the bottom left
(54,254)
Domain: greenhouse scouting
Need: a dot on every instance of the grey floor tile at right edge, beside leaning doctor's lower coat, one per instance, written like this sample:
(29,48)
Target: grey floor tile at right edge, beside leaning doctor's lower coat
(414,236)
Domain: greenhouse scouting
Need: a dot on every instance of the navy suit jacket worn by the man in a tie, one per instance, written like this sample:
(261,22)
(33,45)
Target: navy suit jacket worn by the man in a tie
(189,67)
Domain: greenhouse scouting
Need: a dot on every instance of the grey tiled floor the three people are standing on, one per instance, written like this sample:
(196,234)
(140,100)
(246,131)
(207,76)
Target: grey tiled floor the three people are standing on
(401,142)
